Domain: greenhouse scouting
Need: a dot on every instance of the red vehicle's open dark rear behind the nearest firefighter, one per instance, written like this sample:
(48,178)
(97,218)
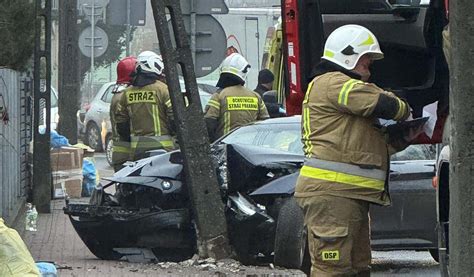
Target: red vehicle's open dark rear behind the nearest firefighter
(410,35)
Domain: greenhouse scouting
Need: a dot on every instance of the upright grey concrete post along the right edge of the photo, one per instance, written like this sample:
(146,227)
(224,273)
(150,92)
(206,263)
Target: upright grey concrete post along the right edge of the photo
(461,234)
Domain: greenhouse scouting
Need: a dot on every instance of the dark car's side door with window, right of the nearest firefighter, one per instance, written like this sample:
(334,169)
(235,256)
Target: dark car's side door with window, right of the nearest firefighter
(410,221)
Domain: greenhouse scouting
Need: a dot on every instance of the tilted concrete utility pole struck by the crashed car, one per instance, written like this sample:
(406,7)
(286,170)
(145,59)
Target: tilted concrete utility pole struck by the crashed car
(200,174)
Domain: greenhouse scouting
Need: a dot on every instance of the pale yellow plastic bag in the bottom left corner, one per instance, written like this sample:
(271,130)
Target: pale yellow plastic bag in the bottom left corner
(15,259)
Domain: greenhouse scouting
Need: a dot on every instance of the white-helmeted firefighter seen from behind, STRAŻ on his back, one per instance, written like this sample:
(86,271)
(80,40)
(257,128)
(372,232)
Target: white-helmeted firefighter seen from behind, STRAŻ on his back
(145,116)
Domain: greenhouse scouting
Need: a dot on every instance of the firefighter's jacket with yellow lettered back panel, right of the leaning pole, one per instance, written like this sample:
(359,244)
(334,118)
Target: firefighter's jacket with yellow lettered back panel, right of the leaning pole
(234,106)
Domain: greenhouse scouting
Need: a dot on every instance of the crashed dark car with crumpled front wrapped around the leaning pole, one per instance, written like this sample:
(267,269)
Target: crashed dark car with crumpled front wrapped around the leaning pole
(257,167)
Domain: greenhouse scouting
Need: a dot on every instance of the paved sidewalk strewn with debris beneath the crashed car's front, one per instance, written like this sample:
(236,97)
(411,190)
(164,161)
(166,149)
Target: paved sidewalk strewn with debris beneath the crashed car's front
(56,241)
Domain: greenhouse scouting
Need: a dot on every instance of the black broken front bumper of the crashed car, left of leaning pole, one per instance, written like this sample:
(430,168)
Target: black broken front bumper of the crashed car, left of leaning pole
(103,228)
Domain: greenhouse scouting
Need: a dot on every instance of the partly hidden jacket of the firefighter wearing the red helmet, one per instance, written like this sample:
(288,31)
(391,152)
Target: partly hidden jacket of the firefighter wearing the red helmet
(121,149)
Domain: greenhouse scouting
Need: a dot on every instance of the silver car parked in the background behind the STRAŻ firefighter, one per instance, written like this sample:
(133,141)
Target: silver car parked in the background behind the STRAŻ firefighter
(98,130)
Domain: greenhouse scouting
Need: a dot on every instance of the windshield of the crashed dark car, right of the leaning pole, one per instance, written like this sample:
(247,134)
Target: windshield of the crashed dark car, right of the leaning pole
(280,136)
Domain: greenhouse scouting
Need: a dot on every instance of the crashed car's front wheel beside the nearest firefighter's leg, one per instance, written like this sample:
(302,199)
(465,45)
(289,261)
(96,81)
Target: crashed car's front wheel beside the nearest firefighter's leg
(290,236)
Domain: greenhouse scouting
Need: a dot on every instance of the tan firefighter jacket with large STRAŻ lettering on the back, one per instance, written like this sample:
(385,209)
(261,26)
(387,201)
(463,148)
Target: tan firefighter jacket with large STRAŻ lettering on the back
(149,114)
